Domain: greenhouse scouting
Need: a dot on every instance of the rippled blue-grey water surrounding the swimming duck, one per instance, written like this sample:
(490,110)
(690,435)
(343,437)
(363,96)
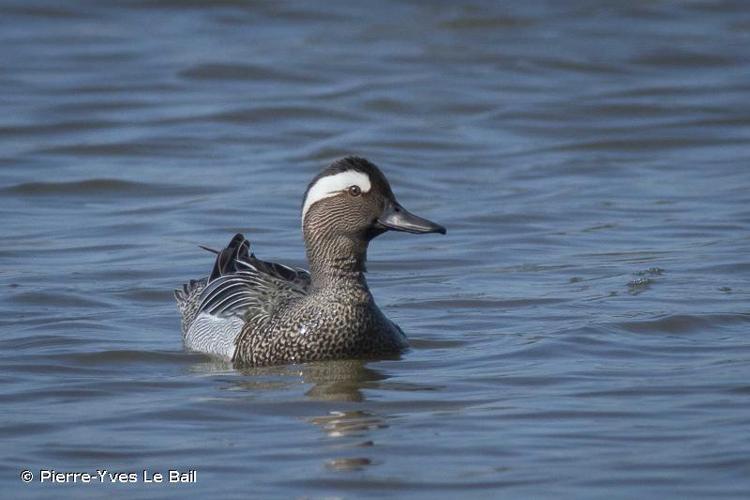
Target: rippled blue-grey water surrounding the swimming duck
(581,331)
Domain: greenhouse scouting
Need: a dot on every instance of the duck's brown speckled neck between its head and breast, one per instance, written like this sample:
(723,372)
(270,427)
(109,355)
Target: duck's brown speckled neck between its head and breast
(337,262)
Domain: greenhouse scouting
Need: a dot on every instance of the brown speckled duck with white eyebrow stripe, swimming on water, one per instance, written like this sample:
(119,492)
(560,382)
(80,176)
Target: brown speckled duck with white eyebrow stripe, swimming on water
(252,312)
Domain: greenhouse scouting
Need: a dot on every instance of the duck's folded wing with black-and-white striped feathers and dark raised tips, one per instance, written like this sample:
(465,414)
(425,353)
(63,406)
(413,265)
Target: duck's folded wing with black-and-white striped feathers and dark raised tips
(242,286)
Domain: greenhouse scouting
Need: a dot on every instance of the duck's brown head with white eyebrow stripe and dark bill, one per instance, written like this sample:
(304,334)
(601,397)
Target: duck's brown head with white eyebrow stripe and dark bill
(351,202)
